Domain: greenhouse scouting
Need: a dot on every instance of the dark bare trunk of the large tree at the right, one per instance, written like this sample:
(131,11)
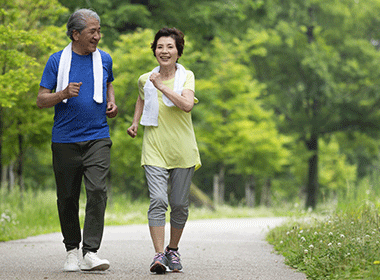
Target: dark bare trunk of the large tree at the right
(312,184)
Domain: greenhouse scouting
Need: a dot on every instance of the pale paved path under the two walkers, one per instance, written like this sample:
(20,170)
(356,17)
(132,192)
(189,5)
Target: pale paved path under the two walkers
(211,249)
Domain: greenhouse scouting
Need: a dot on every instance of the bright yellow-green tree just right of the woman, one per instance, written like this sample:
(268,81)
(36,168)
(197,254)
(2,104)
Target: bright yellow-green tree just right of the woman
(235,131)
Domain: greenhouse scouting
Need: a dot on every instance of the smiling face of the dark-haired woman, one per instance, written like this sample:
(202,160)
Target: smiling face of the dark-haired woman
(166,51)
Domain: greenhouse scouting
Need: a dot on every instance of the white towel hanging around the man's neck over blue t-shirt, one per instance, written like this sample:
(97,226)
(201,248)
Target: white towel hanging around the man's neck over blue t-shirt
(64,70)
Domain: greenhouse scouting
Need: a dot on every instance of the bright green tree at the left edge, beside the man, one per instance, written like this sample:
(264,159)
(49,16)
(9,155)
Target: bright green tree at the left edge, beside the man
(23,45)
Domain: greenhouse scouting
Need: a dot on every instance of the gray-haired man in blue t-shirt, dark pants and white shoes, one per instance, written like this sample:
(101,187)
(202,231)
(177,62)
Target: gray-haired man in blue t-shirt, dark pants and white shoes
(78,82)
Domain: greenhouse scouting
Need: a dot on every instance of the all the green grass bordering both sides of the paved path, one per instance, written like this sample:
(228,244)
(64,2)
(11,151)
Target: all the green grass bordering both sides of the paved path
(337,242)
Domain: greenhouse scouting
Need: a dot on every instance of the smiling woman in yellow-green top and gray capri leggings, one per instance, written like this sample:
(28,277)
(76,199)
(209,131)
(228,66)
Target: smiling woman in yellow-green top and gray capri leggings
(169,153)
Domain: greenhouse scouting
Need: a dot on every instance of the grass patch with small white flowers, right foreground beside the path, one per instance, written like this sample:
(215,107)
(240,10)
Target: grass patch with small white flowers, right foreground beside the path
(344,245)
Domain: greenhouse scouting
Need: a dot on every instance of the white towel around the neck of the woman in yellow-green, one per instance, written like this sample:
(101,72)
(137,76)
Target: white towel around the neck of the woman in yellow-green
(150,111)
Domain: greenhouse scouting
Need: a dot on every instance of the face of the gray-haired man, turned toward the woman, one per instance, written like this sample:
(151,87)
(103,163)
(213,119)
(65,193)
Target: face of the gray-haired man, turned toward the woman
(89,38)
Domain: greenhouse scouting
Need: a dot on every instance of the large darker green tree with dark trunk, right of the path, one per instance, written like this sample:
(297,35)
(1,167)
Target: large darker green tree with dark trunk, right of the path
(321,71)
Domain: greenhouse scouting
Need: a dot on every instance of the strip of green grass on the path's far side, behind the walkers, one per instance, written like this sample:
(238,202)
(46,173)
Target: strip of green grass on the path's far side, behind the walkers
(34,213)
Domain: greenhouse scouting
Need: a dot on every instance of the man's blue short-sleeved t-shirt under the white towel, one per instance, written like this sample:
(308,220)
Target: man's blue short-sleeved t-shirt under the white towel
(81,118)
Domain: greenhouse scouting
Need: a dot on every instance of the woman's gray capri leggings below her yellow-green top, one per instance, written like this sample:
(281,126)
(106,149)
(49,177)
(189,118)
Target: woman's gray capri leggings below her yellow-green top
(179,180)
